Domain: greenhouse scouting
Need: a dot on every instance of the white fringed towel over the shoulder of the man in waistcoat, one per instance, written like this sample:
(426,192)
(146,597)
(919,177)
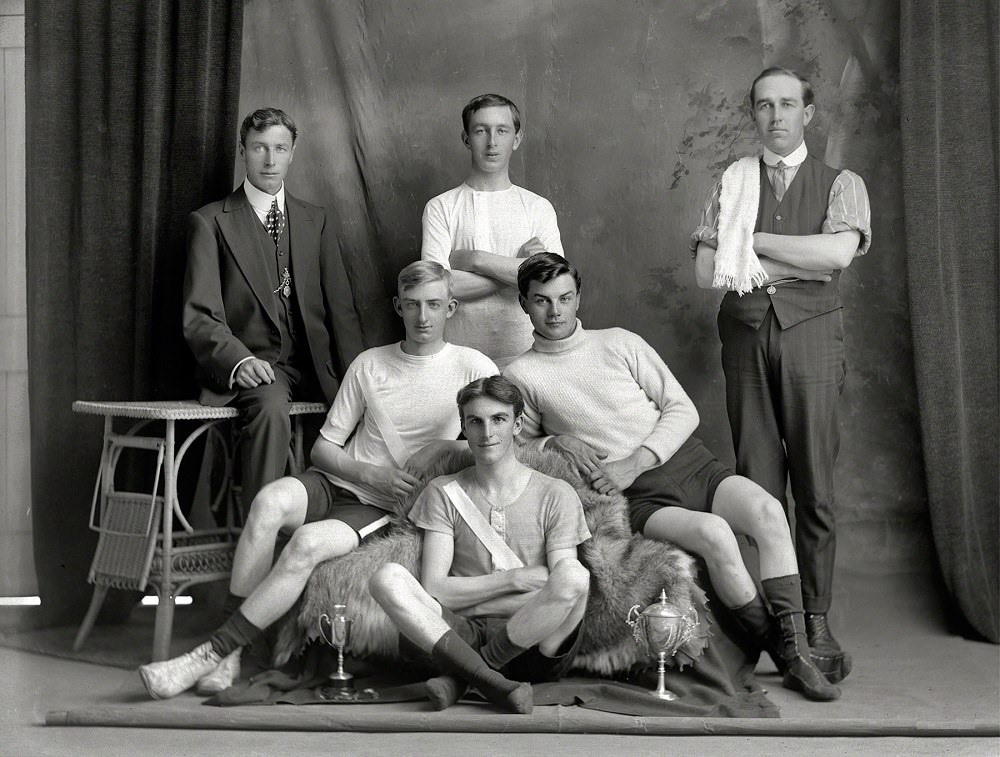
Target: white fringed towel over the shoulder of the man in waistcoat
(736,264)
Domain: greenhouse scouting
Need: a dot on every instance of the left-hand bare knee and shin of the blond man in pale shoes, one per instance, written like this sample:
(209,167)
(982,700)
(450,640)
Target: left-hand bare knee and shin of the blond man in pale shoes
(280,504)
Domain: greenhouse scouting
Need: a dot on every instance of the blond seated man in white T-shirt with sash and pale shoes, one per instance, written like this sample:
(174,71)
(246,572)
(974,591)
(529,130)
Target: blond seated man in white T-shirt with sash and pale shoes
(395,401)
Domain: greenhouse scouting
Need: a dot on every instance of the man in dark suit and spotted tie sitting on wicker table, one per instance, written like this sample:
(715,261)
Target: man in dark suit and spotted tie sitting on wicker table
(268,308)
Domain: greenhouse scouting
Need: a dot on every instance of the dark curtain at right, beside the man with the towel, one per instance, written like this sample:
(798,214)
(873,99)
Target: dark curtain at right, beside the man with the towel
(950,101)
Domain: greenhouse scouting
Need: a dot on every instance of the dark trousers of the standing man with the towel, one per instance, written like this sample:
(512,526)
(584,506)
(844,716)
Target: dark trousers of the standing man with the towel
(782,388)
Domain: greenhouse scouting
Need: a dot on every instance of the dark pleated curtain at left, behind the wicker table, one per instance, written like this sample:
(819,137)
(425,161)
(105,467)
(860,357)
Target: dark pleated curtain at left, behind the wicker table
(131,122)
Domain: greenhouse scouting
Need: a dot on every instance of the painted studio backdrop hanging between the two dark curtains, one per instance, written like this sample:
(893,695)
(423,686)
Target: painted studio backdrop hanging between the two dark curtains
(630,111)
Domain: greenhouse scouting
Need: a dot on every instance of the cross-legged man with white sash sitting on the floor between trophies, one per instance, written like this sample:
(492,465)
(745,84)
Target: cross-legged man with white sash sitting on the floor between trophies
(502,594)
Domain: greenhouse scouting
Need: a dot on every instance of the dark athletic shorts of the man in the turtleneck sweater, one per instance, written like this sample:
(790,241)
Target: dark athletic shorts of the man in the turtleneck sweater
(688,479)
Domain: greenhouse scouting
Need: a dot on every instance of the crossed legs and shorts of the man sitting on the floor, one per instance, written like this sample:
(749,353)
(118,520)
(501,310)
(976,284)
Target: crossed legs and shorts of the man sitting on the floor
(491,654)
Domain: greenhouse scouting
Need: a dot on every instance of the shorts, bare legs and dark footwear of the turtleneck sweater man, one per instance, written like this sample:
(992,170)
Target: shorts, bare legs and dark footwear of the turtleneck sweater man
(701,508)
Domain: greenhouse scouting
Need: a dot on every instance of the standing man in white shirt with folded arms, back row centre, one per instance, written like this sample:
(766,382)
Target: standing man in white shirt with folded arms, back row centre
(484,227)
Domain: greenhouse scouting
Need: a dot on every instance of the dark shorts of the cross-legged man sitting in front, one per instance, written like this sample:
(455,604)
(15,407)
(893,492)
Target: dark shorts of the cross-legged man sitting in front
(531,666)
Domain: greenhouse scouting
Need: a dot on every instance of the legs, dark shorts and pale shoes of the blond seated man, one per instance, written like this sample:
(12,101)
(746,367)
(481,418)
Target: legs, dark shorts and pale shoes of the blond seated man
(325,522)
